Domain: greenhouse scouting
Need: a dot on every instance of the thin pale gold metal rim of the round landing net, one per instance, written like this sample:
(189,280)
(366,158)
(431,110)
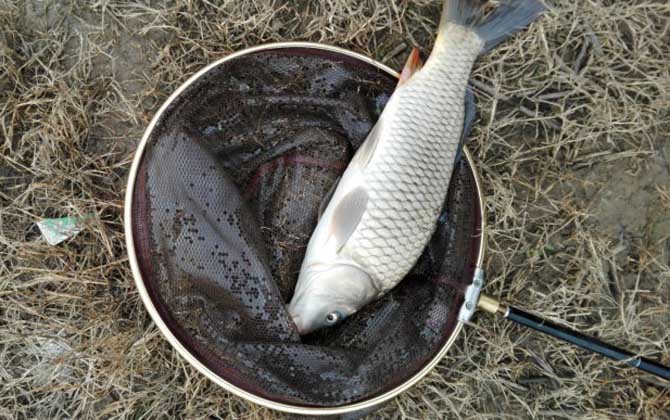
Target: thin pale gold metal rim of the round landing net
(161,324)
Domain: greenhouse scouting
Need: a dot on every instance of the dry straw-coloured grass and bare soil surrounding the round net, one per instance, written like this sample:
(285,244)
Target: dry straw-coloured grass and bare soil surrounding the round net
(573,149)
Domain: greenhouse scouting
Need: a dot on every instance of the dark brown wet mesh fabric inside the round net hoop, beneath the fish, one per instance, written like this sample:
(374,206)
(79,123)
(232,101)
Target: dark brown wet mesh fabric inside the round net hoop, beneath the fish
(224,204)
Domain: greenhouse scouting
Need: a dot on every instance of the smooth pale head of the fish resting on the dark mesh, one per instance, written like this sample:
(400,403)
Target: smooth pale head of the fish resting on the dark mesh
(329,293)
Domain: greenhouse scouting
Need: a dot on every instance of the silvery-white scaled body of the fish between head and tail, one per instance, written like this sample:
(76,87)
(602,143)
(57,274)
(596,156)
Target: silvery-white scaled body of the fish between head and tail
(408,176)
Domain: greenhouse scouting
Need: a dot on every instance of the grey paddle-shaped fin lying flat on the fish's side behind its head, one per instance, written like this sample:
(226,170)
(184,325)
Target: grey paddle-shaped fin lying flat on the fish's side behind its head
(347,216)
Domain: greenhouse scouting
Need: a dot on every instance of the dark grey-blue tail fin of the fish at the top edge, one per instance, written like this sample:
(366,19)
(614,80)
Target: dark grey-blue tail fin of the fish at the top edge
(494,27)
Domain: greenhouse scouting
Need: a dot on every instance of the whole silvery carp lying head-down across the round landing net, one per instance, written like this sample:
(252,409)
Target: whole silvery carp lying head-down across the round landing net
(384,209)
